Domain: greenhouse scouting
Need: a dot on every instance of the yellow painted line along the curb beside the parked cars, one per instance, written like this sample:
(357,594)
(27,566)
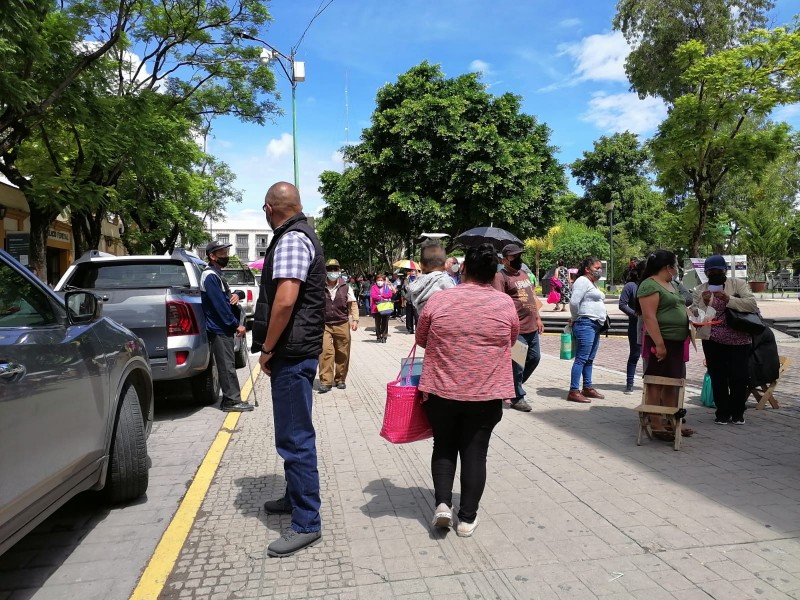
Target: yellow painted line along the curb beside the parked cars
(166,554)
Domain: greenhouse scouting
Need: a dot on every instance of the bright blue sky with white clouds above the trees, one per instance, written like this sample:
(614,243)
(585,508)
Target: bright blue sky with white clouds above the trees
(561,57)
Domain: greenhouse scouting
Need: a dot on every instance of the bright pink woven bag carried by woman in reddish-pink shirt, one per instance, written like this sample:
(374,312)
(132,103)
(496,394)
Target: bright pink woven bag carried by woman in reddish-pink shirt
(404,419)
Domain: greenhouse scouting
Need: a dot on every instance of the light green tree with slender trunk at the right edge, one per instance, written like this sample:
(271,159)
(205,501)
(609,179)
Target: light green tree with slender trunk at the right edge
(720,128)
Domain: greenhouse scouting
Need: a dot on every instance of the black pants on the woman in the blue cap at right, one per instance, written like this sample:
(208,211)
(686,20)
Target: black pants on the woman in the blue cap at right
(727,367)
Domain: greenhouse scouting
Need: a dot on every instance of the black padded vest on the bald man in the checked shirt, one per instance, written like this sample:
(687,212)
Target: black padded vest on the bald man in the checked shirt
(302,337)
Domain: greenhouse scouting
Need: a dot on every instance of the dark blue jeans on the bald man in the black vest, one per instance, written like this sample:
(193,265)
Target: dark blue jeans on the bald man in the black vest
(295,438)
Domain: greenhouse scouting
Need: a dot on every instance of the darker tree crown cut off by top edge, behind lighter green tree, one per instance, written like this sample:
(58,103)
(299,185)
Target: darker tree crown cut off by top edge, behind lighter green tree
(656,28)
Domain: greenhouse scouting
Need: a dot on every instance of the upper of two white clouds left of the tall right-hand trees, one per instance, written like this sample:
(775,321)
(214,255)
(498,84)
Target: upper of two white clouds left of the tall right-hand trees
(599,57)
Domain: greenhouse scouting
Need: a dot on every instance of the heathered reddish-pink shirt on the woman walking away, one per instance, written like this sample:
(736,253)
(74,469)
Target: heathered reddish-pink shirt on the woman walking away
(467,332)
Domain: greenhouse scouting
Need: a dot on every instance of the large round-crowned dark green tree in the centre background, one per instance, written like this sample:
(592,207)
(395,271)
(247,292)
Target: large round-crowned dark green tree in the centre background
(445,155)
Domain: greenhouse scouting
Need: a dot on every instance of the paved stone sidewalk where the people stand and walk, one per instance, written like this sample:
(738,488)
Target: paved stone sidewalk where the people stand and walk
(572,509)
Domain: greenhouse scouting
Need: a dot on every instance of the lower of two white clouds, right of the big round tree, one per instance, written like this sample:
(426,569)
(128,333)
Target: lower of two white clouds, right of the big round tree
(624,112)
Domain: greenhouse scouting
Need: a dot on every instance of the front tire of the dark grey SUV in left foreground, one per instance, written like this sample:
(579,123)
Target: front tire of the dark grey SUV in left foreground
(127,475)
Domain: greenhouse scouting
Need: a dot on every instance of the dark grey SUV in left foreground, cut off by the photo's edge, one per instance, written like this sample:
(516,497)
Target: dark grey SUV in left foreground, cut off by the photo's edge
(76,402)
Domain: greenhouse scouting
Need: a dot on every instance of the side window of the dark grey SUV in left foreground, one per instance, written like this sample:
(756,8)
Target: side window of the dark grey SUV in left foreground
(22,303)
